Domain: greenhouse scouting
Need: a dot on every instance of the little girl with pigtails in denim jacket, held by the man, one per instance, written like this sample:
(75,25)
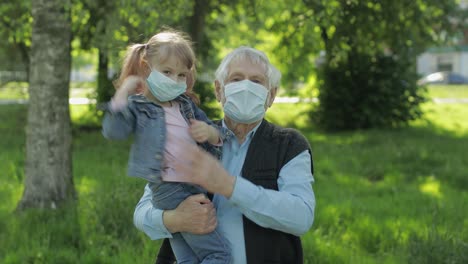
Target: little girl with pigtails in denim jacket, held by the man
(162,118)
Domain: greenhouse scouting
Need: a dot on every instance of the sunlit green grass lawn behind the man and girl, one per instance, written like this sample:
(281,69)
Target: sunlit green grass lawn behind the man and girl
(383,196)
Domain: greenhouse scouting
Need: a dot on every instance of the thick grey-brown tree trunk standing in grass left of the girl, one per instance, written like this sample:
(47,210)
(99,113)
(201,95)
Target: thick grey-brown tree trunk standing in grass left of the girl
(48,180)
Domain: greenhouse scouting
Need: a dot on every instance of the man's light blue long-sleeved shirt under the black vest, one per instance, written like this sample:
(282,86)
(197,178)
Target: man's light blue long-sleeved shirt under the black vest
(290,210)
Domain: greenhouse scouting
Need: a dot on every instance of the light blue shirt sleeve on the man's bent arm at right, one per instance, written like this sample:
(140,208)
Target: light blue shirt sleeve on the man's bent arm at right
(291,208)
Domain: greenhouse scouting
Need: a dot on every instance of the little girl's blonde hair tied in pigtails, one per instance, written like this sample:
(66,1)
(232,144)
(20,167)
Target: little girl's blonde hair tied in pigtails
(160,47)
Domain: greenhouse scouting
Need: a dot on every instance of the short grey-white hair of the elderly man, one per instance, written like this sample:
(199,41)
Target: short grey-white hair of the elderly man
(253,55)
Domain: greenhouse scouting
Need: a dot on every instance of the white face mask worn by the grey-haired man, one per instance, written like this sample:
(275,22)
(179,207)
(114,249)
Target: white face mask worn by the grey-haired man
(245,101)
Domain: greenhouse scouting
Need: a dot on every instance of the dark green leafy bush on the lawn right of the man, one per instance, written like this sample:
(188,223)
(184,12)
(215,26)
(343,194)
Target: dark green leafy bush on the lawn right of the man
(362,91)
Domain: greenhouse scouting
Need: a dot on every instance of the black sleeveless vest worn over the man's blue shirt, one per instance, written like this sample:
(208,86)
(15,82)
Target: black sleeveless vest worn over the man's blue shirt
(271,148)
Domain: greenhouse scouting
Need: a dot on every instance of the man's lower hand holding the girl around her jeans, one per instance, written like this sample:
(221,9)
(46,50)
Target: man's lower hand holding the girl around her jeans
(195,215)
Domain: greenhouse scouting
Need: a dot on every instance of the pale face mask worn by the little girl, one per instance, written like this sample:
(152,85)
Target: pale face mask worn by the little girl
(164,88)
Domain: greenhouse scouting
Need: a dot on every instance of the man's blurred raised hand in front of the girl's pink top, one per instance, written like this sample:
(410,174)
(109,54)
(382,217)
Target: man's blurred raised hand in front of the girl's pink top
(203,169)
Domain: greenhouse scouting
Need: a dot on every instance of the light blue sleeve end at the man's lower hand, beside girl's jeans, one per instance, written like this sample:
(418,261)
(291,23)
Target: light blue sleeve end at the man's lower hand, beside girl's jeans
(150,219)
